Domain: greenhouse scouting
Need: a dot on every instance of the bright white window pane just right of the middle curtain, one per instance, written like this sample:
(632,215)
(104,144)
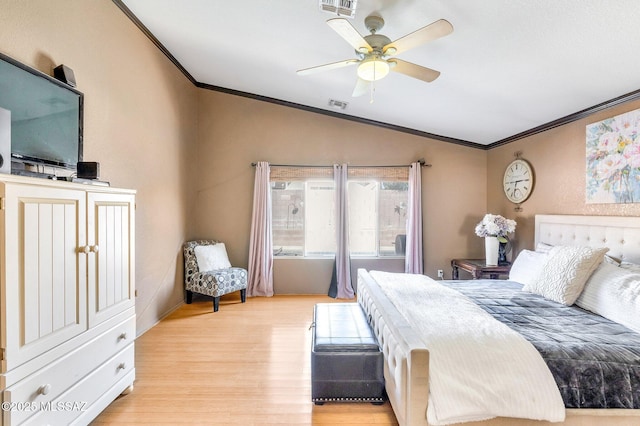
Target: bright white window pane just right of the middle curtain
(363,217)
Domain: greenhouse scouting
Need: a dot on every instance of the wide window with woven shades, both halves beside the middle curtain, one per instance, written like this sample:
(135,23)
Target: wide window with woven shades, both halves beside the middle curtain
(303,212)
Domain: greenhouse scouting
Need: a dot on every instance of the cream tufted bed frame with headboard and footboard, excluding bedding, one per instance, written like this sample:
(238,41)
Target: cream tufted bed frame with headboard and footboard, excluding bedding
(407,357)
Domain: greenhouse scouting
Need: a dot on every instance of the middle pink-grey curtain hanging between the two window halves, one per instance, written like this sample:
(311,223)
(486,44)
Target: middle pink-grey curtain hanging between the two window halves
(343,262)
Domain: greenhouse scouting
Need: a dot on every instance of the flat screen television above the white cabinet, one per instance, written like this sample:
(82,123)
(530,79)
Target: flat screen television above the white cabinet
(46,116)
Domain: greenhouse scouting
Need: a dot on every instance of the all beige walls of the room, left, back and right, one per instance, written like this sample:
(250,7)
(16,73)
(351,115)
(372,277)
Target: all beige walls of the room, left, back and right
(188,151)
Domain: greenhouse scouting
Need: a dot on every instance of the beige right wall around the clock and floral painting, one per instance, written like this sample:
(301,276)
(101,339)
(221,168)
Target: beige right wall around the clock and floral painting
(558,159)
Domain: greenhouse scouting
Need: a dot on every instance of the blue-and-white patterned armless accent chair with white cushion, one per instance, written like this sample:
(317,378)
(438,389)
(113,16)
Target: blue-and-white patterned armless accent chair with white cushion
(207,271)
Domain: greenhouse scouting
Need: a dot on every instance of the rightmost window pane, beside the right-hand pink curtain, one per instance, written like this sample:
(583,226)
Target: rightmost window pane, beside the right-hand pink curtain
(393,203)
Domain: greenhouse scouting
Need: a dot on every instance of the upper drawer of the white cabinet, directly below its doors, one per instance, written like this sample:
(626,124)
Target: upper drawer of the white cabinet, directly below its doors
(50,382)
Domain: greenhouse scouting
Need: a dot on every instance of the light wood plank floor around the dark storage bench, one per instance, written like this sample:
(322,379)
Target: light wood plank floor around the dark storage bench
(247,364)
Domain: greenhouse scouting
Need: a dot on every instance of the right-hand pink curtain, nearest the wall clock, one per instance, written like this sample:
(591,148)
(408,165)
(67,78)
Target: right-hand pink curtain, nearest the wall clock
(413,256)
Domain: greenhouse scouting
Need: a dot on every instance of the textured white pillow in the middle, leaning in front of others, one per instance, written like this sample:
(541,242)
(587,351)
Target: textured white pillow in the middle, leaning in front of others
(565,273)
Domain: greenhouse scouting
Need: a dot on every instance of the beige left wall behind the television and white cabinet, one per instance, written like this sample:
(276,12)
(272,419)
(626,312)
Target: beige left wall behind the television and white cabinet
(140,123)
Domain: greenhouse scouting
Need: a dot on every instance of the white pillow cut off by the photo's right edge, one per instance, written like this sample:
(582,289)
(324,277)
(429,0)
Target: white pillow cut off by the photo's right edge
(614,293)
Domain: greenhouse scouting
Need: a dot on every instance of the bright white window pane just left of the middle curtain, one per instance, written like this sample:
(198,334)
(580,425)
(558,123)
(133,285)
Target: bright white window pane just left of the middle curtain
(320,230)
